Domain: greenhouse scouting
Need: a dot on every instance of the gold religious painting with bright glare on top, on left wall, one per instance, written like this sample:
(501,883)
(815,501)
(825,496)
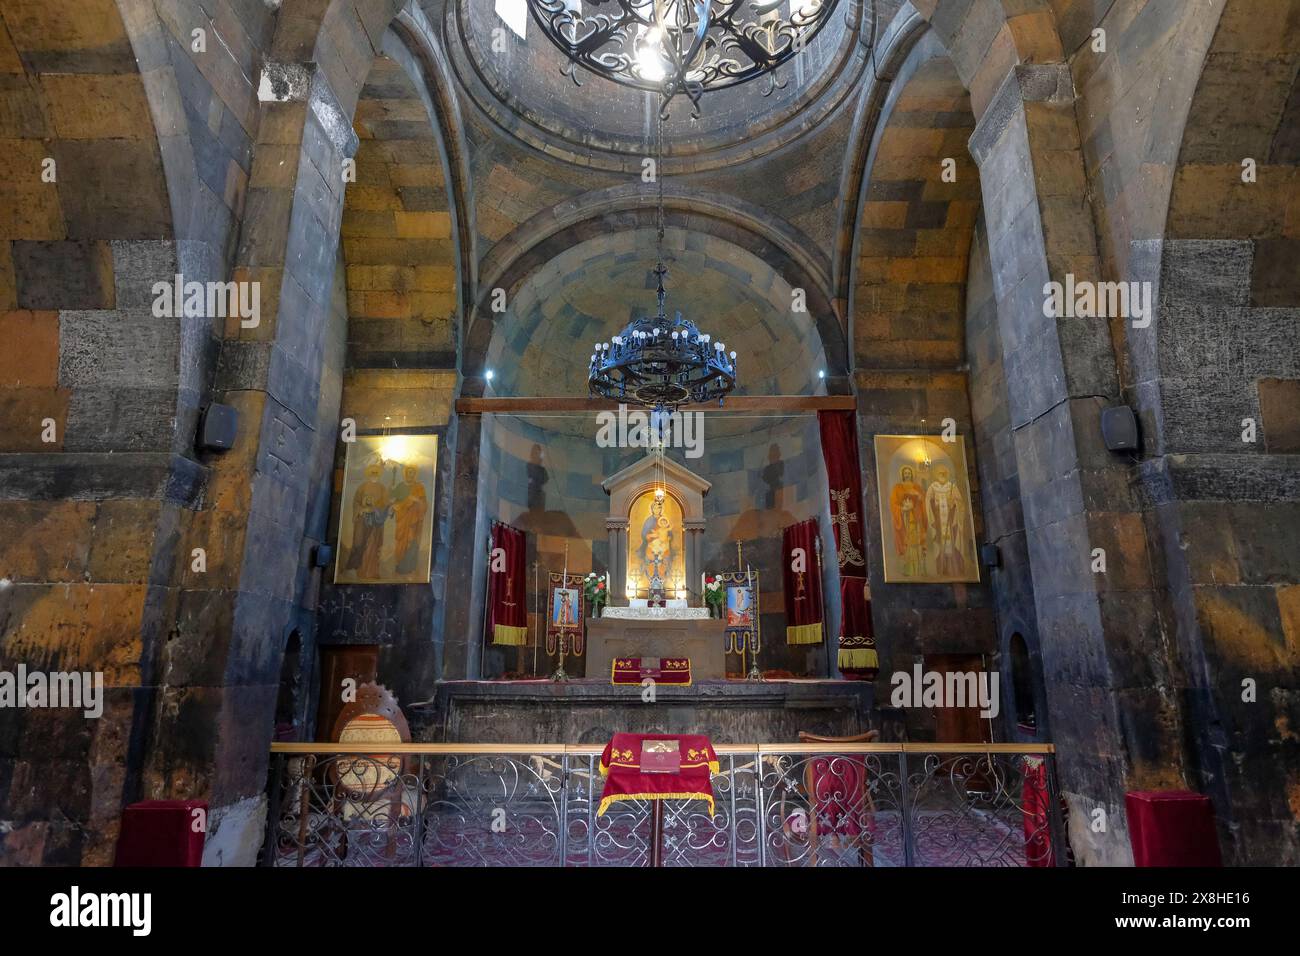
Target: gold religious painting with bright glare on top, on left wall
(385,530)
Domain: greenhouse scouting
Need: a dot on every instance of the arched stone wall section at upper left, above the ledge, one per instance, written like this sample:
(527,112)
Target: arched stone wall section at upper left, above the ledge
(81,113)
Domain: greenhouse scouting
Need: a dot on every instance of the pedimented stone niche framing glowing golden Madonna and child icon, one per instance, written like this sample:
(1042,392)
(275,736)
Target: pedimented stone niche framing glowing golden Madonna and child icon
(656,527)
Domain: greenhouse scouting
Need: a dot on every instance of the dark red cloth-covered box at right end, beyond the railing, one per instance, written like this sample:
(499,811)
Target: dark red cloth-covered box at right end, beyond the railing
(1172,828)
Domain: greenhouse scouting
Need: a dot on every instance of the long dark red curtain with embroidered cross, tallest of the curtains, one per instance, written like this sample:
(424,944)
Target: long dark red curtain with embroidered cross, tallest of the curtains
(859,659)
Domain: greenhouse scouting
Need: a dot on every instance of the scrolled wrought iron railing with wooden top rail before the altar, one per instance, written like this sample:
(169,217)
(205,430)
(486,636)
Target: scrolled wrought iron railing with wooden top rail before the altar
(775,806)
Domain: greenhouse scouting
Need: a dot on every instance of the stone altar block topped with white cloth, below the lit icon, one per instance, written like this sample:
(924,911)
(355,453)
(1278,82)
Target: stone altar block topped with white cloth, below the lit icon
(657,633)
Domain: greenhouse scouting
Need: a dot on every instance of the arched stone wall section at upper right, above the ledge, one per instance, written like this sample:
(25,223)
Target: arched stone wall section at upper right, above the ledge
(1230,249)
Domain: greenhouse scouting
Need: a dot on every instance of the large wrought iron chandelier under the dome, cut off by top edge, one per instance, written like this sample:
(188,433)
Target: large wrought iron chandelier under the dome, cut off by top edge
(682,46)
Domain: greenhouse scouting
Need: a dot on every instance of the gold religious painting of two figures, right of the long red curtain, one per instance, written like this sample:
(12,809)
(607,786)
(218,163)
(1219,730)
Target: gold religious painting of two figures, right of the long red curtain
(928,527)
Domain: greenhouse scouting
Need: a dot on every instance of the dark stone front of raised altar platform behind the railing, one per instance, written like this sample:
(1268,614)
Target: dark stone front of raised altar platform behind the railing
(592,711)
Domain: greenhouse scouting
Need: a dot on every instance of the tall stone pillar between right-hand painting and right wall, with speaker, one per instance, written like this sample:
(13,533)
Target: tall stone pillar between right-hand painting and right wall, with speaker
(1100,631)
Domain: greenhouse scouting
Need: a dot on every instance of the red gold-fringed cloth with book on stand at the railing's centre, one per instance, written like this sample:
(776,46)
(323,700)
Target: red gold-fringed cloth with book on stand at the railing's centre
(625,780)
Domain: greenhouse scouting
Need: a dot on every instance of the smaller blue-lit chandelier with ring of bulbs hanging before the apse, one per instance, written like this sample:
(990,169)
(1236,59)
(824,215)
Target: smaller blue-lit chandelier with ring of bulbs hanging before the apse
(658,362)
